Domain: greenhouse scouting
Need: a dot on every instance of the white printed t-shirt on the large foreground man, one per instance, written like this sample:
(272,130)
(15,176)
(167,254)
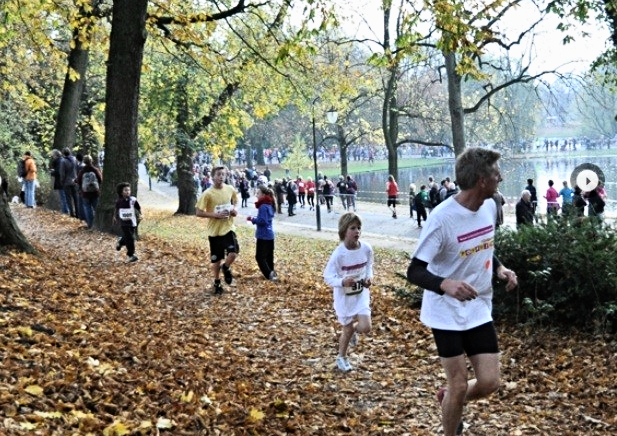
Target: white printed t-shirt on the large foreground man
(458,244)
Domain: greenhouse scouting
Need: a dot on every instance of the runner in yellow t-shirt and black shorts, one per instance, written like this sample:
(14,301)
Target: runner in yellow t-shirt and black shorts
(218,205)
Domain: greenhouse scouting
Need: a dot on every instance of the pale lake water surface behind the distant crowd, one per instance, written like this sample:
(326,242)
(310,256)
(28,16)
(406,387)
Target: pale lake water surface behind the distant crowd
(515,172)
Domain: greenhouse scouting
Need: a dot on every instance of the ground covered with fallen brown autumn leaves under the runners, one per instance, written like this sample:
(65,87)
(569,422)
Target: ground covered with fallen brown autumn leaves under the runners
(92,345)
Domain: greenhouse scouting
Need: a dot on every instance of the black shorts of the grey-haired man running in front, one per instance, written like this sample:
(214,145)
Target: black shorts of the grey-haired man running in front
(478,340)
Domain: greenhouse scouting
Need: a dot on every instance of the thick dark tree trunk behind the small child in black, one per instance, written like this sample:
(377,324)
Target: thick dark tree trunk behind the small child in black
(127,40)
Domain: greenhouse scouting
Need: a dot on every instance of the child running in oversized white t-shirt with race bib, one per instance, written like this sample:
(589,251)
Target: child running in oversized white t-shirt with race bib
(350,273)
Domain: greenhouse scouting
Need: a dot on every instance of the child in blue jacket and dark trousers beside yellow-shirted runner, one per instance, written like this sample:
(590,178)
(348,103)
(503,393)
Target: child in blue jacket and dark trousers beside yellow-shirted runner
(264,232)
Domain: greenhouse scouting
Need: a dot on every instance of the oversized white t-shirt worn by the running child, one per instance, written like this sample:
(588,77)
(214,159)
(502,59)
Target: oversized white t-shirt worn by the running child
(345,263)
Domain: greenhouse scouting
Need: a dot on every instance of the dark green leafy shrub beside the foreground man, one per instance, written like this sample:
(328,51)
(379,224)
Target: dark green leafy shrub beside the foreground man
(566,275)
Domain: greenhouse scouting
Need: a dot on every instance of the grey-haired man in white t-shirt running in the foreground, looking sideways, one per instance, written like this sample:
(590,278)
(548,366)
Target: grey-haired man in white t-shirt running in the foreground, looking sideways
(454,262)
